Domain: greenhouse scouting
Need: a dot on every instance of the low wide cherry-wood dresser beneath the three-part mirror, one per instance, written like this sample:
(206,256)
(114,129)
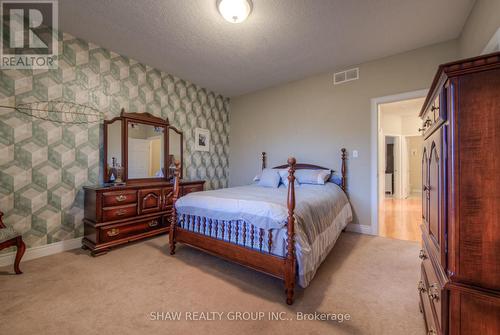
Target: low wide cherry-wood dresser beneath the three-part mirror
(120,214)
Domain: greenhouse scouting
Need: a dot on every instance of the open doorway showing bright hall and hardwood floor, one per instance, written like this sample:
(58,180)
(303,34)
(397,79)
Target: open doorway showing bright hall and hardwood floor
(399,169)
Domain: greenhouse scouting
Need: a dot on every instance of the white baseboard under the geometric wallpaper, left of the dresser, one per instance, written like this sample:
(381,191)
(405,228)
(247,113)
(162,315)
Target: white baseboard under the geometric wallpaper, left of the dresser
(41,251)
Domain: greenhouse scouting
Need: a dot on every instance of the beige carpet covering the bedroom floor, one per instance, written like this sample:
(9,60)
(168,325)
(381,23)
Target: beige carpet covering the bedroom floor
(371,278)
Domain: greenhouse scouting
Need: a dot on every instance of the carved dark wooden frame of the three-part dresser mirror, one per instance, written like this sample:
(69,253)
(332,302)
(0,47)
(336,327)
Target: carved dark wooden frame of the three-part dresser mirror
(143,118)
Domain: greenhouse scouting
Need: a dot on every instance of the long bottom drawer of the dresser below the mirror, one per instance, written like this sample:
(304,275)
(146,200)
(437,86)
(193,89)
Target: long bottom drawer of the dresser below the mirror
(128,230)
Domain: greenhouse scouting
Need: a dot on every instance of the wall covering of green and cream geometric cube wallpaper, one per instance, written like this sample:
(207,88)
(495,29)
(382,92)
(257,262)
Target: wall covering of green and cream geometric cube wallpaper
(43,165)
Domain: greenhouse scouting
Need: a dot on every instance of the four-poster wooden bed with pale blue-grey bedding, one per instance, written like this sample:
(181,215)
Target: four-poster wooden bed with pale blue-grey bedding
(285,232)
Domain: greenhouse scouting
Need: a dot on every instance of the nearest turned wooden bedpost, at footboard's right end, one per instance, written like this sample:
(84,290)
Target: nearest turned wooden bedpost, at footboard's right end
(290,248)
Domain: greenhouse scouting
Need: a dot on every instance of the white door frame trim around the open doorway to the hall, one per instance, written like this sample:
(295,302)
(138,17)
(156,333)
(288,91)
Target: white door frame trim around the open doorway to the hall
(375,102)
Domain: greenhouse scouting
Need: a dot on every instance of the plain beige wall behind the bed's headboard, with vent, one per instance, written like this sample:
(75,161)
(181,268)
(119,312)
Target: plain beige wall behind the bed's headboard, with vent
(312,119)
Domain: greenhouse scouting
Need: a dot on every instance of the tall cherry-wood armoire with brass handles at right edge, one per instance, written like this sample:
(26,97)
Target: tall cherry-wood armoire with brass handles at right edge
(460,272)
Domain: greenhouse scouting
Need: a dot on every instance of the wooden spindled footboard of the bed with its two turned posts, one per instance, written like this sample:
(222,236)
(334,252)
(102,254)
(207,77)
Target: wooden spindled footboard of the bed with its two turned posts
(238,241)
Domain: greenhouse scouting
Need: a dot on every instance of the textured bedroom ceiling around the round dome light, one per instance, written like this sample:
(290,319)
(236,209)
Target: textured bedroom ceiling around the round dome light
(282,40)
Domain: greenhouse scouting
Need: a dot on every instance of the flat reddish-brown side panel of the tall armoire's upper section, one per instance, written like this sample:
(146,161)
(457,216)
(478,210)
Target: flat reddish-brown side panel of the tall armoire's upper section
(478,186)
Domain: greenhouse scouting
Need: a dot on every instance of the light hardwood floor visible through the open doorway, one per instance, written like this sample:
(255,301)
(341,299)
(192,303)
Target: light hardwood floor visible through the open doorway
(400,218)
